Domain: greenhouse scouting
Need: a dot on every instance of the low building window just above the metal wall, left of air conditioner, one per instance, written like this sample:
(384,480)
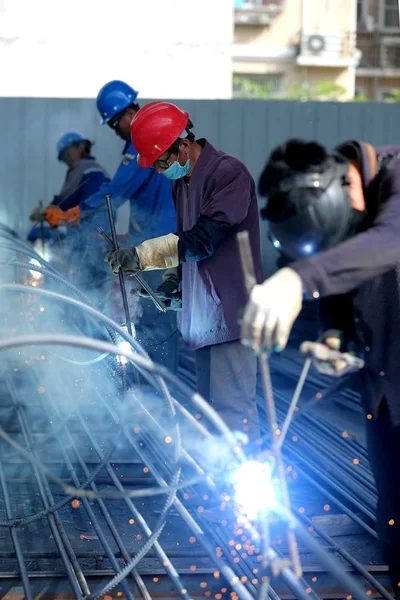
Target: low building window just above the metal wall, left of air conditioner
(254,86)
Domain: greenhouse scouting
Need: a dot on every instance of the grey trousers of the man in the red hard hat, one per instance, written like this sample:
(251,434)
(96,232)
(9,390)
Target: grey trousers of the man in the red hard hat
(226,376)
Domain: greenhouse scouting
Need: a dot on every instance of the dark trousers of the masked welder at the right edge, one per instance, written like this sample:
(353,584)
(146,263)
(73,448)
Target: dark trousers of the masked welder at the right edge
(383,440)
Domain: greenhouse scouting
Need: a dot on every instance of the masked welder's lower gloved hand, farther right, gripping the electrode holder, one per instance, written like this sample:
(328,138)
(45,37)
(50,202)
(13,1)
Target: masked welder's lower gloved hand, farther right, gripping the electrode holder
(347,362)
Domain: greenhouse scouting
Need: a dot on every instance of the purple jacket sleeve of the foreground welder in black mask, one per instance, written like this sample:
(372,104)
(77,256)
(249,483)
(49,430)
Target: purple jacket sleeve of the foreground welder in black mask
(375,251)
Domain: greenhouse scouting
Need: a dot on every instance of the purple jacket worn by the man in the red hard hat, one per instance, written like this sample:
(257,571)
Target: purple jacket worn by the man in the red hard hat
(222,189)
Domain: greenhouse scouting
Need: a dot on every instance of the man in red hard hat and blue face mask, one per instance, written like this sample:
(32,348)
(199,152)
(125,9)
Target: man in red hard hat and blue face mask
(215,198)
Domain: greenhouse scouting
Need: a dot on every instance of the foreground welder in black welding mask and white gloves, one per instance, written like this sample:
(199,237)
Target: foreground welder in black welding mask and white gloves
(335,216)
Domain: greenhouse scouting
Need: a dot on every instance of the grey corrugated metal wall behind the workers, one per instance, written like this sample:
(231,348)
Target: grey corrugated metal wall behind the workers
(29,129)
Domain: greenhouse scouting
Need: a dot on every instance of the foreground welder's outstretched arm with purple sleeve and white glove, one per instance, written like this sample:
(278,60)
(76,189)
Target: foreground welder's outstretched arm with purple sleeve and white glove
(274,305)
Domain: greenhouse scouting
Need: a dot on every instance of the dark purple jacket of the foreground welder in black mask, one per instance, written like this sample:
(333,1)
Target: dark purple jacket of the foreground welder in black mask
(369,266)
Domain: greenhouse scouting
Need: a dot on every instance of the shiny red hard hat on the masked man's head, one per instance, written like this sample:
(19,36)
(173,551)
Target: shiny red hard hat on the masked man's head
(154,128)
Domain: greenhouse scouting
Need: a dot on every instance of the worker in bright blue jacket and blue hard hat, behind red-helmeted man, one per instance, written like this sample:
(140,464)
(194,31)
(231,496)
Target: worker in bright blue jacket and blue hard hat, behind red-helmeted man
(152,211)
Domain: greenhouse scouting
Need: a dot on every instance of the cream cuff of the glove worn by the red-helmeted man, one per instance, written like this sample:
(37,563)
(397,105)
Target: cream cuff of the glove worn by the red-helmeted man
(159,253)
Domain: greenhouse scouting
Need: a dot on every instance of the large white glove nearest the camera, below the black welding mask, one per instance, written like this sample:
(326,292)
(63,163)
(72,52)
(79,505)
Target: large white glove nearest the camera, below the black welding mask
(271,311)
